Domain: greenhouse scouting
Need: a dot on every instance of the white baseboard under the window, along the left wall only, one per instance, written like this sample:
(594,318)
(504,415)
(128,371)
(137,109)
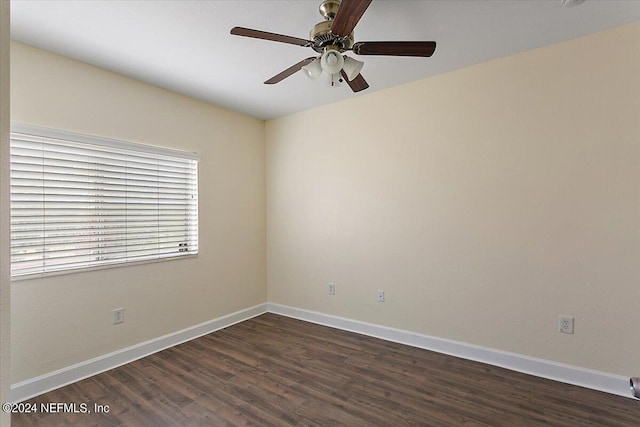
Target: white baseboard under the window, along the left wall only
(53,380)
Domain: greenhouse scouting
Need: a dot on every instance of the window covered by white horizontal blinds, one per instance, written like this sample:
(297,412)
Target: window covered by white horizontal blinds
(79,202)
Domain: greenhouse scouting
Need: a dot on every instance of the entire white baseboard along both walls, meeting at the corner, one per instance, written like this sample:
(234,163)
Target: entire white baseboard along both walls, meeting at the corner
(602,381)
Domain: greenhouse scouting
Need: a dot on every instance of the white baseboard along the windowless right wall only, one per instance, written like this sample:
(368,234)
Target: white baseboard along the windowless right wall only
(602,381)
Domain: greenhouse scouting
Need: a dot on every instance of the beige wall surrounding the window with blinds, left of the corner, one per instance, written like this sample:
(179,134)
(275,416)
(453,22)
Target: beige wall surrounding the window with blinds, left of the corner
(62,320)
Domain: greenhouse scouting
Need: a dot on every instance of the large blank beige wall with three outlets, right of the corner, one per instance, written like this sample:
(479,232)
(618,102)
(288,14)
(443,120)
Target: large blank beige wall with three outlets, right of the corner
(485,202)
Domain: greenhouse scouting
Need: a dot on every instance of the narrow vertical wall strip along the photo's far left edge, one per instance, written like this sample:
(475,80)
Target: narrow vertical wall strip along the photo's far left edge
(5,231)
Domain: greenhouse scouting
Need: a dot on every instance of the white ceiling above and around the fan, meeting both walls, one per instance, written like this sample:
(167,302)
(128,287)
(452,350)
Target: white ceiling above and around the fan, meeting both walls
(185,46)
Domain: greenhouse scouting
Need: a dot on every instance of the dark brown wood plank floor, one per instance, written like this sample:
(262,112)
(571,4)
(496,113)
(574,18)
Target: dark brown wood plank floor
(277,371)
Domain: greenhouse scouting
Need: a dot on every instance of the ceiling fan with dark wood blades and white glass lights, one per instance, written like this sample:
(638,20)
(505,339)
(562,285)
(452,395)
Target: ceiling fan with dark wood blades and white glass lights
(331,38)
